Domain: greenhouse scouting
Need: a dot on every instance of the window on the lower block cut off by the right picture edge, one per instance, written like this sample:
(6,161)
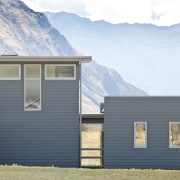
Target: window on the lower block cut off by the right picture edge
(174,134)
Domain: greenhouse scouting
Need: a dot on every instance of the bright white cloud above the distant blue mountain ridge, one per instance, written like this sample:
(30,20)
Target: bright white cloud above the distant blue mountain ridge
(158,12)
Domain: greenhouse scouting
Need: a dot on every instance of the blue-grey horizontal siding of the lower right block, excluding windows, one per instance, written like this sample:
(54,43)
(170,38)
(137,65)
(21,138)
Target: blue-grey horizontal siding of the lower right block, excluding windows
(119,117)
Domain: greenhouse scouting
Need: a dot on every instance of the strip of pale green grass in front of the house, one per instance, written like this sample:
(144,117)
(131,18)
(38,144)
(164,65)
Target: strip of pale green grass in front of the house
(53,173)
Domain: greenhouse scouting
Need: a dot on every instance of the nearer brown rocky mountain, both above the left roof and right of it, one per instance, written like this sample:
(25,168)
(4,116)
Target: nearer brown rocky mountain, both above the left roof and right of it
(29,33)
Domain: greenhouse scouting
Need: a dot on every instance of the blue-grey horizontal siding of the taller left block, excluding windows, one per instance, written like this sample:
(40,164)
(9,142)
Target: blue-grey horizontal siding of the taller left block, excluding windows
(48,137)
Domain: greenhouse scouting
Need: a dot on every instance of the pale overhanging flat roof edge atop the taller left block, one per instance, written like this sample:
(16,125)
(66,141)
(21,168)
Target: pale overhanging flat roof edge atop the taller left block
(14,58)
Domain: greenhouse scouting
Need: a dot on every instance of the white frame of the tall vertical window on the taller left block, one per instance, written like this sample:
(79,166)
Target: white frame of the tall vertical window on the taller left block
(25,87)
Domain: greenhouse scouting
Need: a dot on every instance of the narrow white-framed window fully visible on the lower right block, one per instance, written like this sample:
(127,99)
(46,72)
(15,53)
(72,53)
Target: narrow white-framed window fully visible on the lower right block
(140,135)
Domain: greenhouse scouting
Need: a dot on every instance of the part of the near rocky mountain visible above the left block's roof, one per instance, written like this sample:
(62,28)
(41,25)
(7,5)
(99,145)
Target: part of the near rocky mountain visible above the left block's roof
(26,32)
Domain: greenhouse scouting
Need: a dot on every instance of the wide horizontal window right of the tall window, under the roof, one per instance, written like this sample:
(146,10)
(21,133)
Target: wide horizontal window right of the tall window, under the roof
(60,72)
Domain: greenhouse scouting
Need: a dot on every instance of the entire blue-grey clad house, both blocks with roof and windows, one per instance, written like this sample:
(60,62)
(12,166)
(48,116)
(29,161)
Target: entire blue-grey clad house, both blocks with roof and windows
(41,121)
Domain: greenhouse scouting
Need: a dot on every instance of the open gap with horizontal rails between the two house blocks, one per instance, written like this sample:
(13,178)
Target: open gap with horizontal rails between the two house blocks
(92,144)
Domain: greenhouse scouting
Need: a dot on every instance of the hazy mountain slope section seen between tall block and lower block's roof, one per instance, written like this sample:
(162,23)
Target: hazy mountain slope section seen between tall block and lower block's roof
(103,81)
